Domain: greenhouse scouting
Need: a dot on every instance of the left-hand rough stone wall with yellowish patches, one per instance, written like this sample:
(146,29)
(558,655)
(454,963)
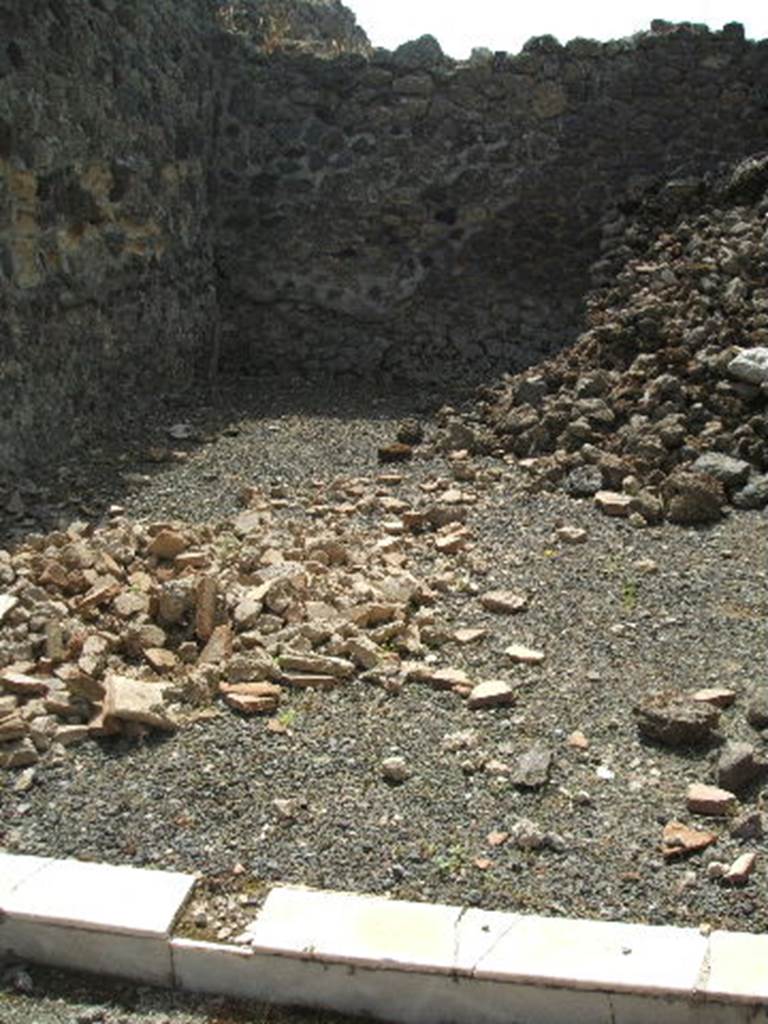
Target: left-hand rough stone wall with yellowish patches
(106,274)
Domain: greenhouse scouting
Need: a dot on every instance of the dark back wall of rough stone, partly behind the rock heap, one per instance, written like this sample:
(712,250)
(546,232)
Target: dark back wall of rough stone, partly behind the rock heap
(405,216)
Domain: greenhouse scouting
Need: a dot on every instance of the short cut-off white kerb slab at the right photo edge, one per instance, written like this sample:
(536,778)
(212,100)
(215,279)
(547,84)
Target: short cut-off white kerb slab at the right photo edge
(739,969)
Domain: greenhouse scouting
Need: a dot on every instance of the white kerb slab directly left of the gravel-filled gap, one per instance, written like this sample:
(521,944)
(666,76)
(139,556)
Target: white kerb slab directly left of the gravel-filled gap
(100,898)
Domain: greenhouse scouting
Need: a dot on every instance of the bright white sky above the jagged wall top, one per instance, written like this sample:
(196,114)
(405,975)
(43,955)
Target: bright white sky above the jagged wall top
(506,25)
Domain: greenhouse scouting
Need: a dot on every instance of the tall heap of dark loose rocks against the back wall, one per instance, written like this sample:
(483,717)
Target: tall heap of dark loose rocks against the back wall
(661,409)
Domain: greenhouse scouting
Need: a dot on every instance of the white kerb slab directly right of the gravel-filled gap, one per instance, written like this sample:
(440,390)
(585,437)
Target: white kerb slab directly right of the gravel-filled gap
(352,929)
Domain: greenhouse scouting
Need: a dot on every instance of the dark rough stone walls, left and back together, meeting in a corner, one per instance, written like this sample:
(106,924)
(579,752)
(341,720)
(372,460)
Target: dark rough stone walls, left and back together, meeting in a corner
(188,185)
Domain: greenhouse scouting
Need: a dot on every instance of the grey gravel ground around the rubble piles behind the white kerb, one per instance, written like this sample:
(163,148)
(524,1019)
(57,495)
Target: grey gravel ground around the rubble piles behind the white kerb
(628,613)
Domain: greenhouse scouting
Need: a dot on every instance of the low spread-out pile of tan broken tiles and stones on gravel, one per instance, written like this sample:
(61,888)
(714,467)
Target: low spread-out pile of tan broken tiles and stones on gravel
(131,627)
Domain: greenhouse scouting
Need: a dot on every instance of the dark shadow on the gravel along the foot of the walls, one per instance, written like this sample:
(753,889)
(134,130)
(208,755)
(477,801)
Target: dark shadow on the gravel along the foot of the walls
(107,470)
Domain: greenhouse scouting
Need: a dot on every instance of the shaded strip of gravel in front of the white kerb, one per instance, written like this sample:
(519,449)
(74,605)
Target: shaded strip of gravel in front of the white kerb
(50,997)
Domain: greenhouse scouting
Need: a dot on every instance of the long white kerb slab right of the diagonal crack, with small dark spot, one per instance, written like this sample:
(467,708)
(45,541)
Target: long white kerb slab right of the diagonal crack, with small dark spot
(591,955)
